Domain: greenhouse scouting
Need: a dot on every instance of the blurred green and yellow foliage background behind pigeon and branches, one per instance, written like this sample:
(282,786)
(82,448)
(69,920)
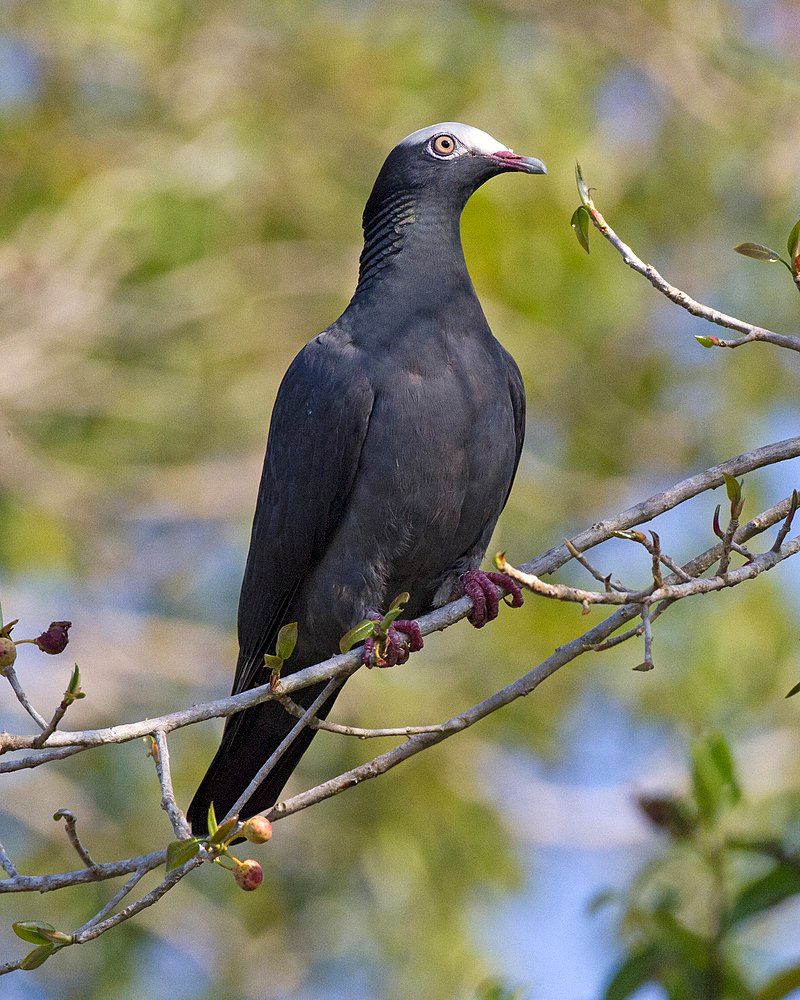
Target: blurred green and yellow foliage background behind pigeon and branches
(180,195)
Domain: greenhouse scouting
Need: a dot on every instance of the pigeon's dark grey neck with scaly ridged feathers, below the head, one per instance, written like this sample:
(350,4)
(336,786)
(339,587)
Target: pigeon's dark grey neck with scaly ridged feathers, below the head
(408,241)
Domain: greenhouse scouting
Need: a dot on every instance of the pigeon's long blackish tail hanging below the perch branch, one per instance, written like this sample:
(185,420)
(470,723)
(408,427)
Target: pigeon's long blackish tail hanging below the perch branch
(247,742)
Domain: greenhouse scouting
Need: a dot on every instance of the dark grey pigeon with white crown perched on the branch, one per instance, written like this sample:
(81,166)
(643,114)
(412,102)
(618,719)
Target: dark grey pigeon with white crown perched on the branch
(394,441)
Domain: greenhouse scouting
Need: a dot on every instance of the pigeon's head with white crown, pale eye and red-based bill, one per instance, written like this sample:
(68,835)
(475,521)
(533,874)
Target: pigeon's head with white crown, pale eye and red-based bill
(449,162)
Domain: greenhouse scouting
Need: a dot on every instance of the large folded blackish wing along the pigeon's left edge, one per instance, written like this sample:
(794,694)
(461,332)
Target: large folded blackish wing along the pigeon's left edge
(319,424)
